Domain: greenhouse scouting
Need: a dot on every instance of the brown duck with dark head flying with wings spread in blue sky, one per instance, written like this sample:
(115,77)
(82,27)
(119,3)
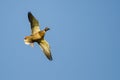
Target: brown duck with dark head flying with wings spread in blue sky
(37,35)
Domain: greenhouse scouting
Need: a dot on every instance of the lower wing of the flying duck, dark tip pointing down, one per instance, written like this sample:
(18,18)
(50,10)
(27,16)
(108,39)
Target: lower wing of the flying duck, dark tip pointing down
(45,48)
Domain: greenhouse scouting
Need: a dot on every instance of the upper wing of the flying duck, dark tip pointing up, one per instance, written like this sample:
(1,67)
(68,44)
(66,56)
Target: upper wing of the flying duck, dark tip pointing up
(34,23)
